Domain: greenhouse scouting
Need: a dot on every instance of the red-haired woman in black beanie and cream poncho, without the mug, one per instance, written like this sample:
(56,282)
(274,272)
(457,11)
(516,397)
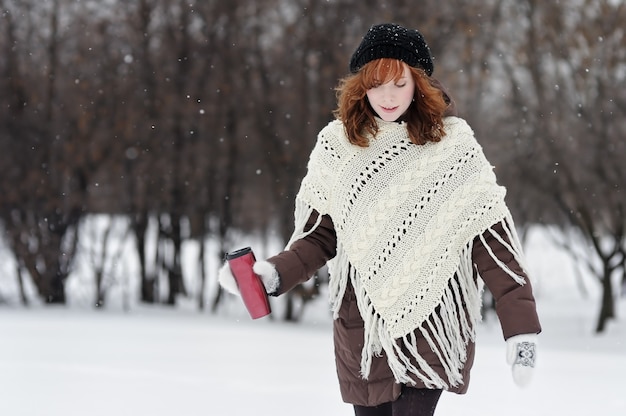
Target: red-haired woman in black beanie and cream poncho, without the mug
(402,204)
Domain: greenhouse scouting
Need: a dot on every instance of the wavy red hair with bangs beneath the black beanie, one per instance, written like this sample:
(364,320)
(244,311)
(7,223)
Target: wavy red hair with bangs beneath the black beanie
(424,116)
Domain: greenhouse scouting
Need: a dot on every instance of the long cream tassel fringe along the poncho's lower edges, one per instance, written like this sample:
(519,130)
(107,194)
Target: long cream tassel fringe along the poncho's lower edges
(447,329)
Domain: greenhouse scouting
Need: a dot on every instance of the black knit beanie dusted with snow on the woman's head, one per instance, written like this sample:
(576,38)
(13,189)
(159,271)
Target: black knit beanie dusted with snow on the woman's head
(389,40)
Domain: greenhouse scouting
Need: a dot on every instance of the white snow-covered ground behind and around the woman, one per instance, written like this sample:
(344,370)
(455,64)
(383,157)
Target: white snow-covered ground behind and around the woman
(140,360)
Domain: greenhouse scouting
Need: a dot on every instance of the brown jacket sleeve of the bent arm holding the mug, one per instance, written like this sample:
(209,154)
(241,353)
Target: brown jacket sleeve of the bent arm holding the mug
(306,256)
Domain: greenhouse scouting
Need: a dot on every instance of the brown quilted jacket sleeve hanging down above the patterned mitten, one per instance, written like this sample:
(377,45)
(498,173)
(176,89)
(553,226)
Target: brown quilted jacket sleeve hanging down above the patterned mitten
(514,303)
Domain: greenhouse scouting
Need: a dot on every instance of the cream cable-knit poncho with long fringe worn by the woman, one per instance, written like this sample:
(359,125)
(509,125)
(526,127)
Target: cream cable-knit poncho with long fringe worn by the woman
(406,217)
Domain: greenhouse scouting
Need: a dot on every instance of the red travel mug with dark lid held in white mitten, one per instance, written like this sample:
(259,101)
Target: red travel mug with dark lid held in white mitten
(250,284)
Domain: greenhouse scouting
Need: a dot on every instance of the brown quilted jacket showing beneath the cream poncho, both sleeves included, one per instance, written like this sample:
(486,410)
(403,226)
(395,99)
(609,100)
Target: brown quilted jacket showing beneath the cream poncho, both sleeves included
(515,307)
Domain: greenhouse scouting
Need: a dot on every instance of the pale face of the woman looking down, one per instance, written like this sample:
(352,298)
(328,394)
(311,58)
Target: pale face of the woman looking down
(391,100)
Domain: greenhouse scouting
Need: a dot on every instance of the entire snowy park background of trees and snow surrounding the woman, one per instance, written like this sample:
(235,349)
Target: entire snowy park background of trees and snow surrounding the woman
(200,116)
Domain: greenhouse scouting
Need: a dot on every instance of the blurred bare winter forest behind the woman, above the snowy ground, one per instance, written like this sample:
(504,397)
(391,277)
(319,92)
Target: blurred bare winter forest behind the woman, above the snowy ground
(131,130)
